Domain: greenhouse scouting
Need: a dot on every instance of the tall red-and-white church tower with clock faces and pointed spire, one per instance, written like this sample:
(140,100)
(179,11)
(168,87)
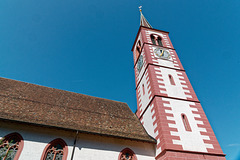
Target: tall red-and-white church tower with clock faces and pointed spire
(167,105)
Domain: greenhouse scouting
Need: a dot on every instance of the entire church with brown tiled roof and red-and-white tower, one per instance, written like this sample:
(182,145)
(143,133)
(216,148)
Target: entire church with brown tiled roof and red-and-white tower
(41,123)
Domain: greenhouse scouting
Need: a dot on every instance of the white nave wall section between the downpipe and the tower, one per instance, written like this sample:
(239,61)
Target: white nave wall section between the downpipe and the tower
(91,148)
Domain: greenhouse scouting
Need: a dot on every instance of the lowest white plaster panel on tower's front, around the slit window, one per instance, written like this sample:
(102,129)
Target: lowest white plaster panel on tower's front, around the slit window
(190,140)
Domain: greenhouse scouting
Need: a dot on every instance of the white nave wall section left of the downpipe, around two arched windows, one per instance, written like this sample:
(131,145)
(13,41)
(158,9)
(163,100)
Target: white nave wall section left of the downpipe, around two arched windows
(35,139)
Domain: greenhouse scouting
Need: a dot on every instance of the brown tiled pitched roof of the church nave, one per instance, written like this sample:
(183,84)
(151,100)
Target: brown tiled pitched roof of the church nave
(34,104)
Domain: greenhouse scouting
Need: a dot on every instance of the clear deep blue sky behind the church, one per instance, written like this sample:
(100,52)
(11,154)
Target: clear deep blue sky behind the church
(85,47)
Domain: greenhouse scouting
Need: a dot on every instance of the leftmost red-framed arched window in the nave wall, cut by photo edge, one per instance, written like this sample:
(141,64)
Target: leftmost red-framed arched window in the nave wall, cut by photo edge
(11,146)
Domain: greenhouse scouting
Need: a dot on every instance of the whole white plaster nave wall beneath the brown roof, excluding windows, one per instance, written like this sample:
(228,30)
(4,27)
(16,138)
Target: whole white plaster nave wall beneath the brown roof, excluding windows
(88,147)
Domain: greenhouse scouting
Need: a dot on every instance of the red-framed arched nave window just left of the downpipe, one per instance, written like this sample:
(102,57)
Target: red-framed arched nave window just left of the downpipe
(55,150)
